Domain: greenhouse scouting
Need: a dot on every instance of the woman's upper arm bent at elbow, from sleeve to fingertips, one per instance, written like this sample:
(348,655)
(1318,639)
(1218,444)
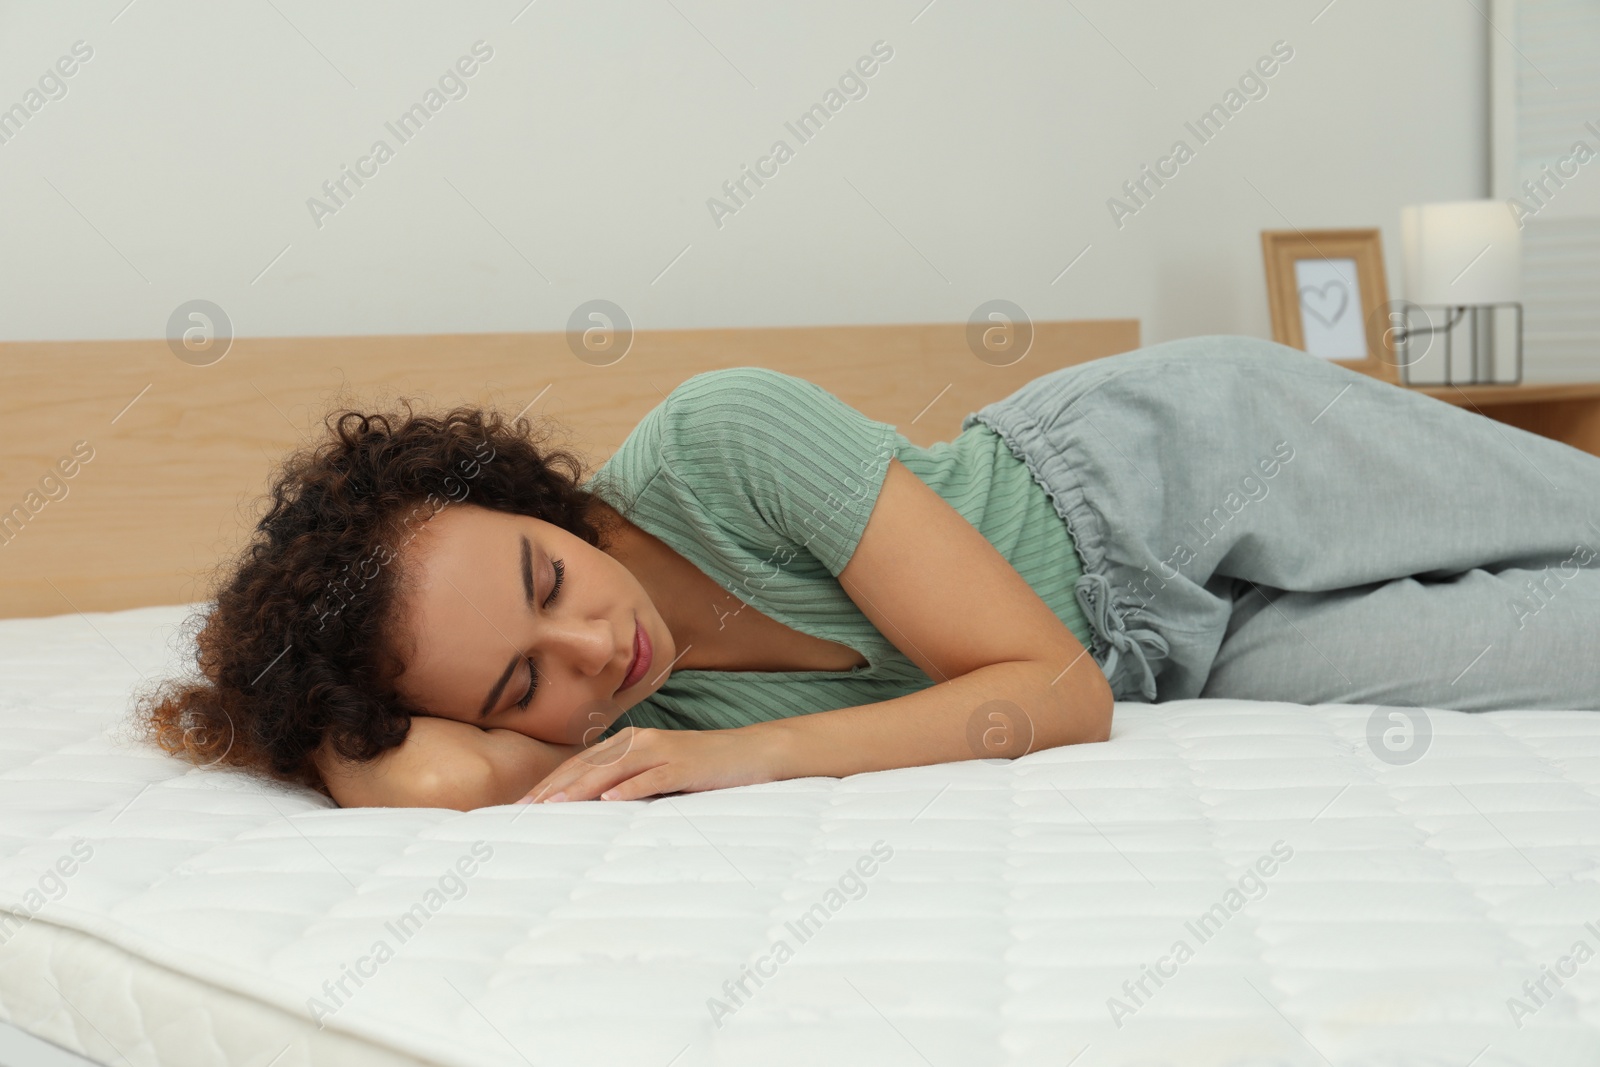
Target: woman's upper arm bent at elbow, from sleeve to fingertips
(1010,677)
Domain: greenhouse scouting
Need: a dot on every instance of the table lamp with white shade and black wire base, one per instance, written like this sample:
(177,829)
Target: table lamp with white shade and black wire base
(1463,258)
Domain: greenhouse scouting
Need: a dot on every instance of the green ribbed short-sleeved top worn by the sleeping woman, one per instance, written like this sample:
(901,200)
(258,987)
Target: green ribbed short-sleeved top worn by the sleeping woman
(766,482)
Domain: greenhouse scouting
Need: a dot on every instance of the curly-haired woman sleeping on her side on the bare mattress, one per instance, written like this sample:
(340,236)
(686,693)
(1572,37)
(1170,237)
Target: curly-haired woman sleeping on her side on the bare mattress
(762,583)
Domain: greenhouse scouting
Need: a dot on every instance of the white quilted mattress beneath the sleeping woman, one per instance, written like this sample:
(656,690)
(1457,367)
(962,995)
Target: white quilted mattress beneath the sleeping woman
(1015,901)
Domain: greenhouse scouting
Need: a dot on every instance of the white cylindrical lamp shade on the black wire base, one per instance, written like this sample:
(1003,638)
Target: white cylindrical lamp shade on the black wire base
(1462,254)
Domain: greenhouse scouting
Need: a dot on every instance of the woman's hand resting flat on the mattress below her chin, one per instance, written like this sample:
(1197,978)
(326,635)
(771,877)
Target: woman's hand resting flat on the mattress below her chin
(638,764)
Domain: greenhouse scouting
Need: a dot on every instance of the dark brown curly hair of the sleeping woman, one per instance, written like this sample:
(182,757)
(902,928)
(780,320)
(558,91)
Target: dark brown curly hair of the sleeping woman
(300,645)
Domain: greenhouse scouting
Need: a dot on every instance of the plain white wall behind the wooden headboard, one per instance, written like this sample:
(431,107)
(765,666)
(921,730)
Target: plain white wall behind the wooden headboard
(180,162)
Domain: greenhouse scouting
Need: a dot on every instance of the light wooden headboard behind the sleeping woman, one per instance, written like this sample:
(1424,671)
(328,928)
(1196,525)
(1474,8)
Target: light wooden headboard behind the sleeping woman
(169,460)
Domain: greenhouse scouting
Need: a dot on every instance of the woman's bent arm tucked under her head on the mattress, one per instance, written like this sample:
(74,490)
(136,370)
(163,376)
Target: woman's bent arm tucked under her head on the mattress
(444,764)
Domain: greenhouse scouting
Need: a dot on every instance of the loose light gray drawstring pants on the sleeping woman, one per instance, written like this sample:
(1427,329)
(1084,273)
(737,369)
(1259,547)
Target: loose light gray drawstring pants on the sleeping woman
(1260,524)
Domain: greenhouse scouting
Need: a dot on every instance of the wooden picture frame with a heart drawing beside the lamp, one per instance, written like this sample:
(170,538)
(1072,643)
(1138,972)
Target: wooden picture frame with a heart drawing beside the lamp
(1319,308)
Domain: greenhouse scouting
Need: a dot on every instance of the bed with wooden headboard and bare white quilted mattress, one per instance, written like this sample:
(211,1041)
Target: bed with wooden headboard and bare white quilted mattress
(1223,882)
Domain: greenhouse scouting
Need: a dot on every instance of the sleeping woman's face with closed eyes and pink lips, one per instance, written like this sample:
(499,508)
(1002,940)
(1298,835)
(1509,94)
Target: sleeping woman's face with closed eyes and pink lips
(479,609)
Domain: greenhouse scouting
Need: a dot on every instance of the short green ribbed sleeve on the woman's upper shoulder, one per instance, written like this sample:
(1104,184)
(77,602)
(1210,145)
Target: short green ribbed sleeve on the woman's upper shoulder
(761,449)
